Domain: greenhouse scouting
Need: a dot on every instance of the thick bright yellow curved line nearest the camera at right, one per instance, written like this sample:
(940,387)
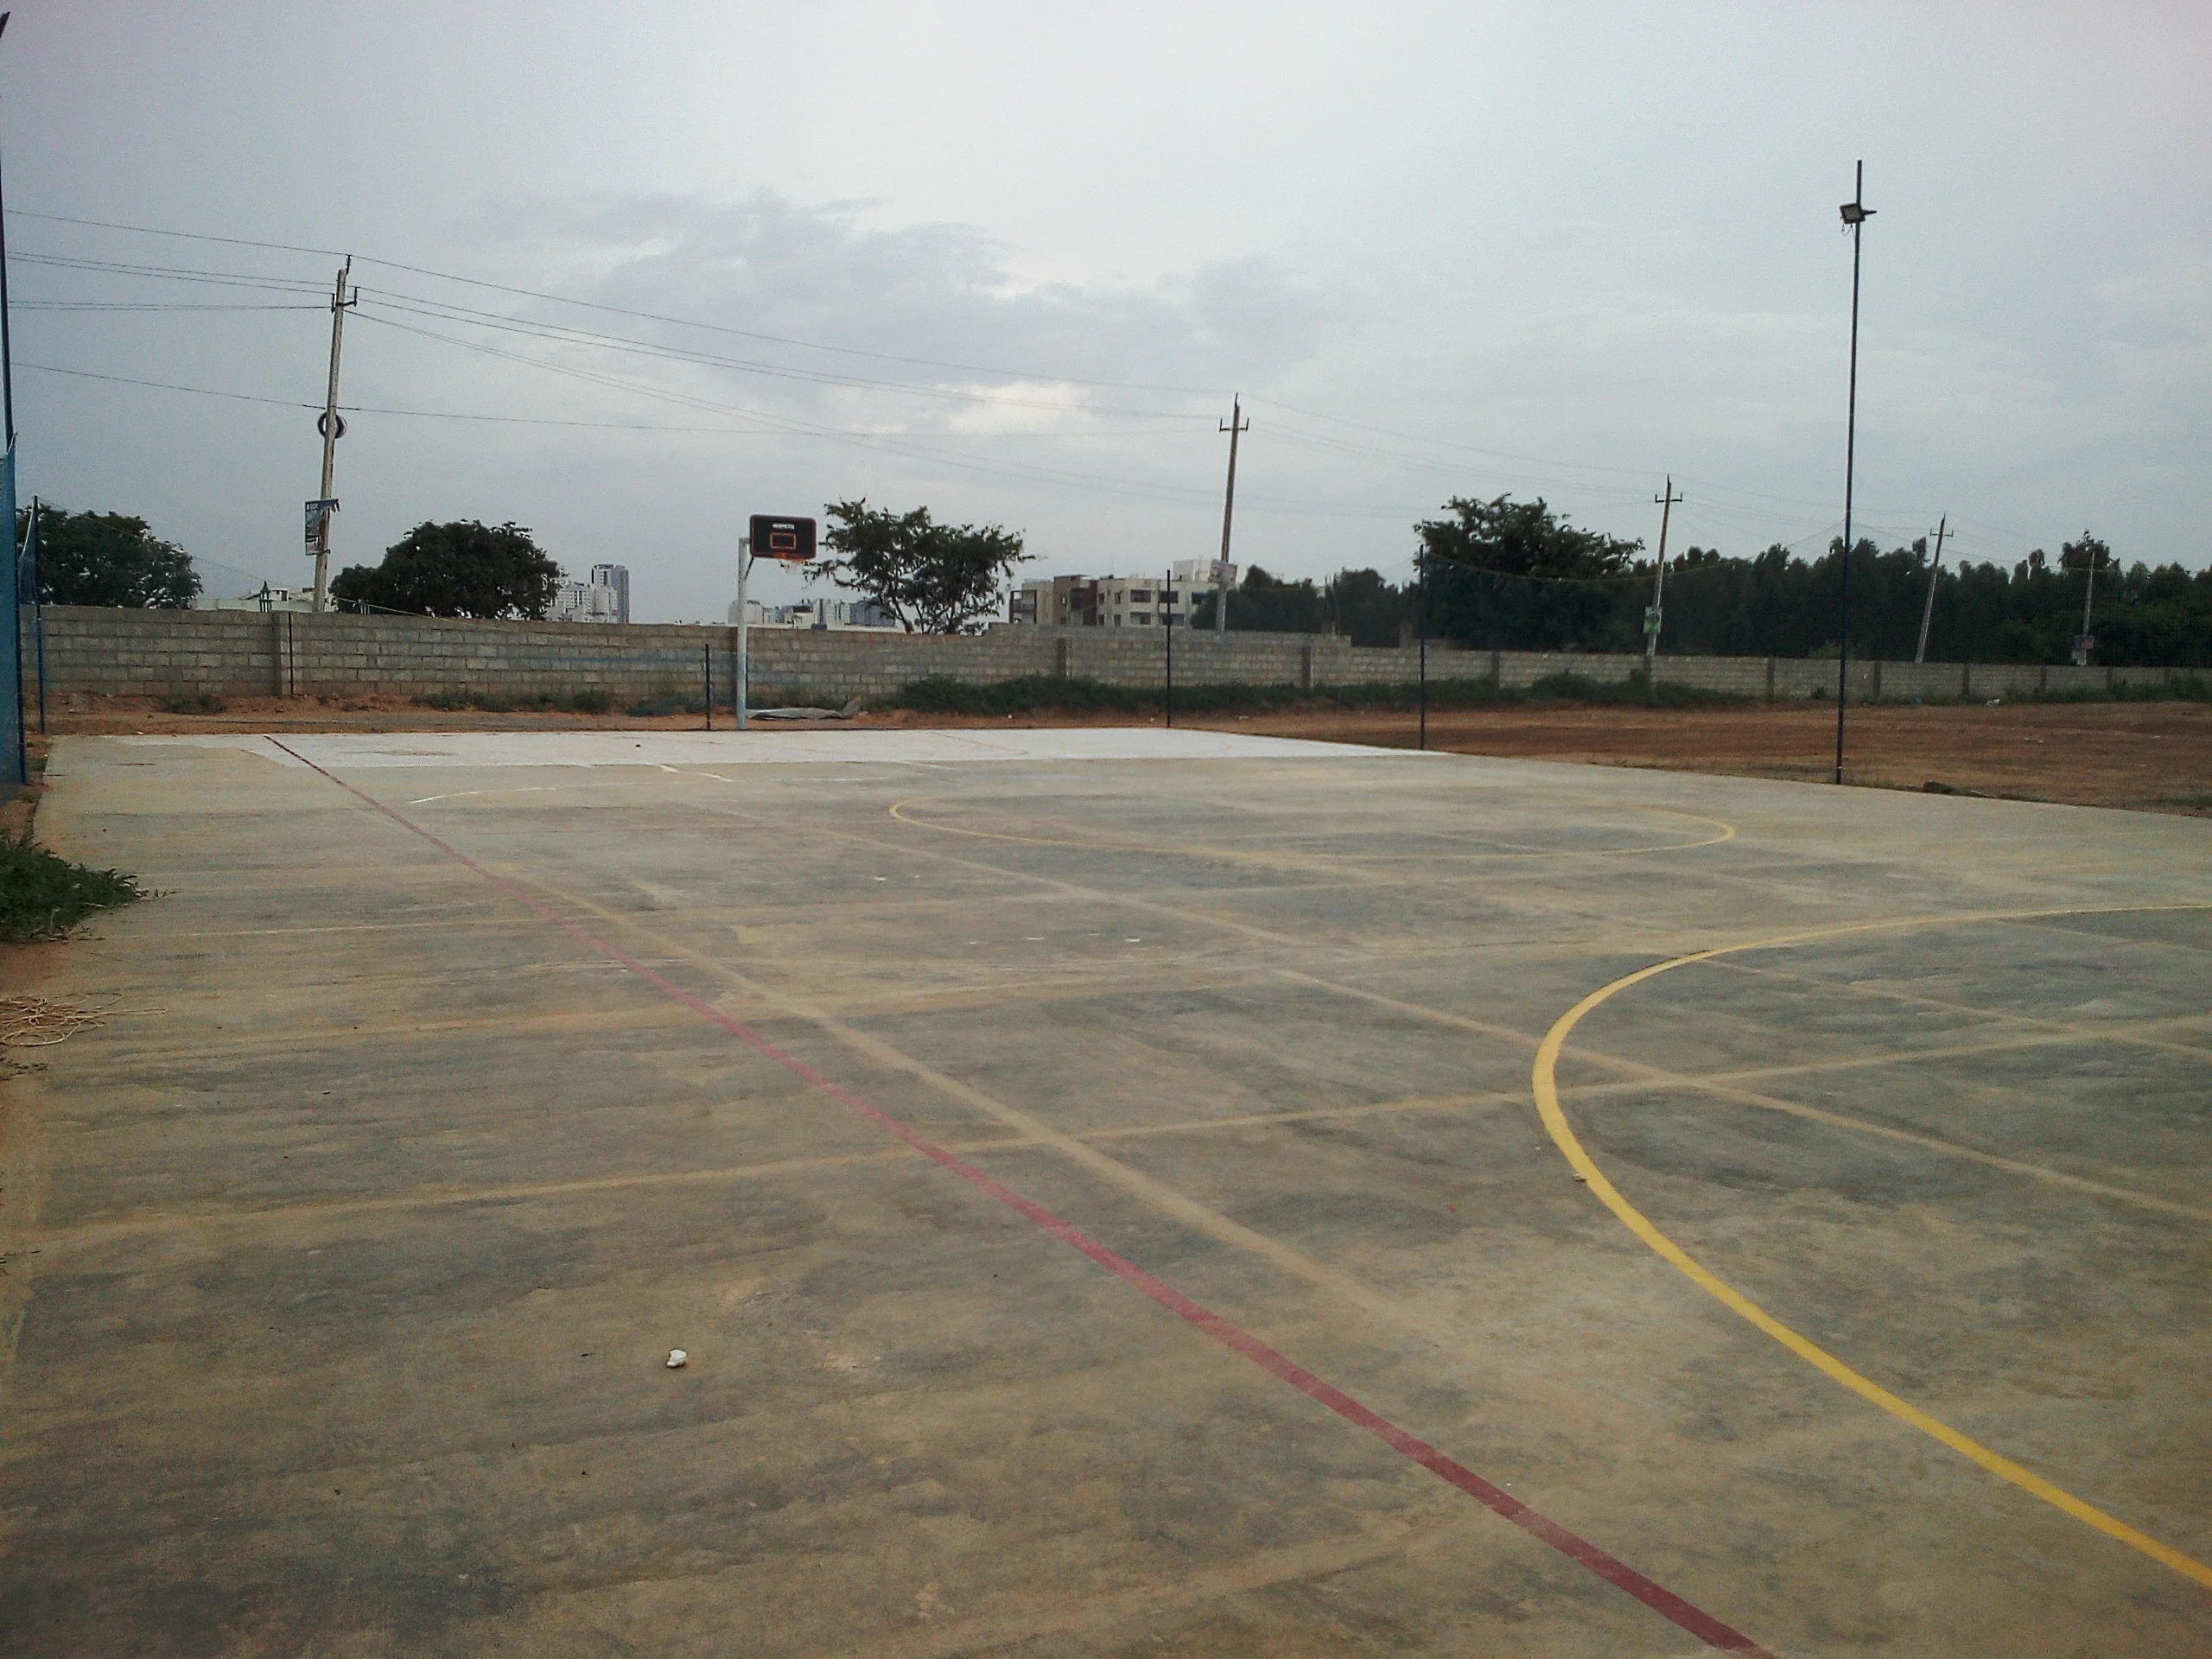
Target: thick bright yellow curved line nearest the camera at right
(1547,1103)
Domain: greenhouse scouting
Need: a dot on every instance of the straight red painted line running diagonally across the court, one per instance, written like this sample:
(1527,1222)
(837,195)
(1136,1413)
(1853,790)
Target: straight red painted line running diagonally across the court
(1578,1550)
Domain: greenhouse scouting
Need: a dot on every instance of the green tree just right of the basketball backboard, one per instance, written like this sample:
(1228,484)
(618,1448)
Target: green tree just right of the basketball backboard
(930,578)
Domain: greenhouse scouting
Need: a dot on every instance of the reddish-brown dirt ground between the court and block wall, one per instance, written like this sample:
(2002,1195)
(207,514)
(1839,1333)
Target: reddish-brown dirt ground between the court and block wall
(2151,758)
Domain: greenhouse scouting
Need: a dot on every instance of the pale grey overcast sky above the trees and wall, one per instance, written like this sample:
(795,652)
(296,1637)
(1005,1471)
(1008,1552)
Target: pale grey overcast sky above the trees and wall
(1012,264)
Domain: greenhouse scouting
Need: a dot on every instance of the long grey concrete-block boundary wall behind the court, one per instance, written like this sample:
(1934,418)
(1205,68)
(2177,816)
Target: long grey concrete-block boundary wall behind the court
(286,654)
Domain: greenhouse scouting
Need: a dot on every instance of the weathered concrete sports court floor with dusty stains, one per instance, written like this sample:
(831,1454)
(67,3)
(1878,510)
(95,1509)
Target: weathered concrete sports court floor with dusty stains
(340,1284)
